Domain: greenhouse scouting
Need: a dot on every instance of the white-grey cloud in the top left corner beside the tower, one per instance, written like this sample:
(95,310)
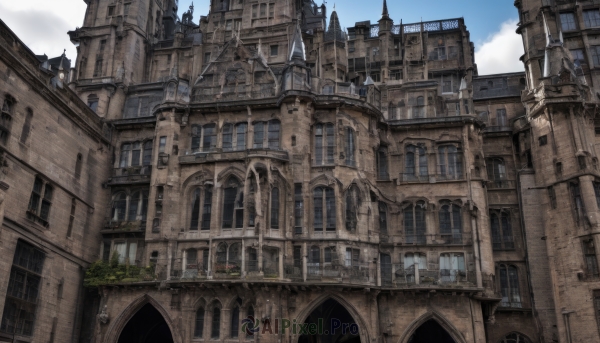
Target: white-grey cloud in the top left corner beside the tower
(42,24)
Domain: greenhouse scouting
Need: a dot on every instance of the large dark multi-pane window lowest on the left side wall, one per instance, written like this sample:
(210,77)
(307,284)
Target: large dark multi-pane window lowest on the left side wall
(21,301)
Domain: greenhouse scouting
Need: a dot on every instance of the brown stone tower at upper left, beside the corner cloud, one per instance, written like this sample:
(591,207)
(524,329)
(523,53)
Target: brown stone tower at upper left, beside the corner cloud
(112,45)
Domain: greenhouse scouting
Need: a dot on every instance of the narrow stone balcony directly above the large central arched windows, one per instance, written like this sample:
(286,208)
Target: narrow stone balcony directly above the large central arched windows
(220,156)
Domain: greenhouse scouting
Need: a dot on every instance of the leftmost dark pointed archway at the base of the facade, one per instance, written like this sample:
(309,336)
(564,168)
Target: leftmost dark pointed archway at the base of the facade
(146,326)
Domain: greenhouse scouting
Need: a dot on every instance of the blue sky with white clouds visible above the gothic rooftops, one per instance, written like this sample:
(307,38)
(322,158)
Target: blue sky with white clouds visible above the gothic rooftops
(43,24)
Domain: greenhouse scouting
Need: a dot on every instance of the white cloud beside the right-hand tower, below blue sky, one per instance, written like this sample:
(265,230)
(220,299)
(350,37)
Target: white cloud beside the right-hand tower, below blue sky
(500,53)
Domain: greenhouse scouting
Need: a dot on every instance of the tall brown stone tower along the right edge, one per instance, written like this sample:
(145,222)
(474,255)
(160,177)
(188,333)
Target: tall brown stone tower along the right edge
(556,142)
